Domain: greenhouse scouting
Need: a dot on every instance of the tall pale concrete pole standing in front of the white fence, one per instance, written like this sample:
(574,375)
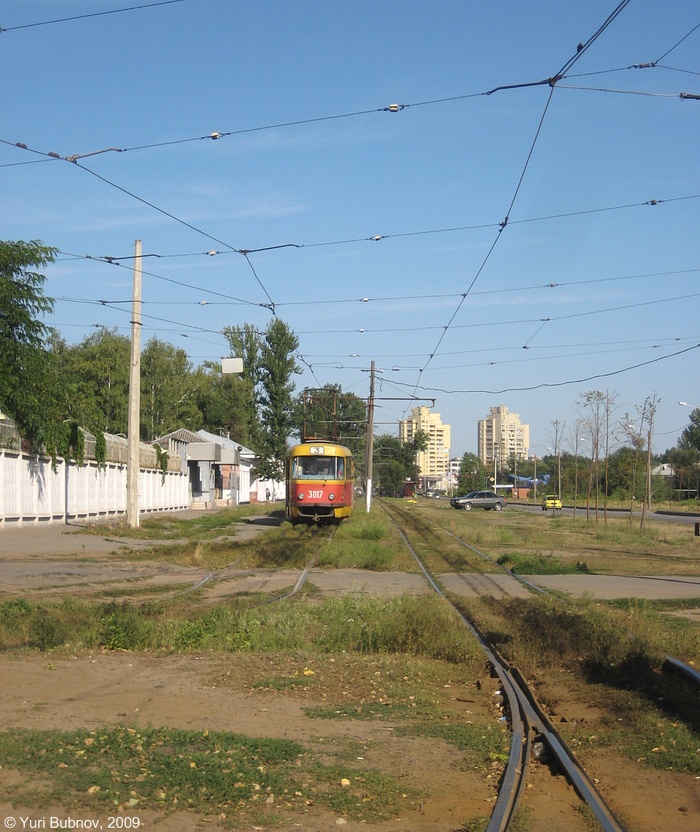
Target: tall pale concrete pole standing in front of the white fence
(133,462)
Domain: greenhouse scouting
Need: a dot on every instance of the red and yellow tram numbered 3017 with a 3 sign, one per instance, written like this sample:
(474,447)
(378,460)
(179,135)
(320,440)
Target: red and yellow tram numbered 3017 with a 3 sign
(320,480)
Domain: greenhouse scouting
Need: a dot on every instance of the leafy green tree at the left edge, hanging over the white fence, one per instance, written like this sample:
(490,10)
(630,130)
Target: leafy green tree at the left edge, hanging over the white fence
(27,380)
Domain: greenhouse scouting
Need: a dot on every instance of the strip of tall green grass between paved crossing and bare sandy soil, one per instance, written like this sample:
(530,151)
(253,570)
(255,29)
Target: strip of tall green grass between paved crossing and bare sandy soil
(420,626)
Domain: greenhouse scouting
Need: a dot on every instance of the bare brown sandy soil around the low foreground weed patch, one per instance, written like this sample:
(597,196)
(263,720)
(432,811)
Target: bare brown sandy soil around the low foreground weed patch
(216,694)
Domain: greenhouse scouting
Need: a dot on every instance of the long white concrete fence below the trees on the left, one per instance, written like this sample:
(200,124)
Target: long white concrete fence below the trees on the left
(32,492)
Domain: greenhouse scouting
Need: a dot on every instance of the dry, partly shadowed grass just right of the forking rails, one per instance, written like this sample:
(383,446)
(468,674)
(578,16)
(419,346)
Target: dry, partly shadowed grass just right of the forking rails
(617,651)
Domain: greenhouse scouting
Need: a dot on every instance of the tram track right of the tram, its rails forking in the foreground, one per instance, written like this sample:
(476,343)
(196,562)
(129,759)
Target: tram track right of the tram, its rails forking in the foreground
(528,722)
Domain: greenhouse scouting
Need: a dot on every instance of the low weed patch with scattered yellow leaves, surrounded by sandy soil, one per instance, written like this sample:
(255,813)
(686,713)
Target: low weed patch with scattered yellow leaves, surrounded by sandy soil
(166,769)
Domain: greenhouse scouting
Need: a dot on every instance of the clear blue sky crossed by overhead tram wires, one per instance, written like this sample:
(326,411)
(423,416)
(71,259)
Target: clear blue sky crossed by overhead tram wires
(535,243)
